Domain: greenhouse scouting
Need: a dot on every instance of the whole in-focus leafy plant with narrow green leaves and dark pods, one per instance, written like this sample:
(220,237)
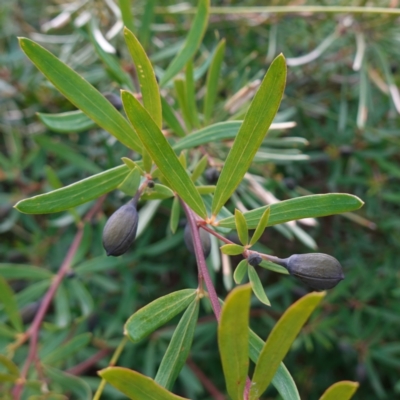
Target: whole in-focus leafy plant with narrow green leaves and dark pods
(159,170)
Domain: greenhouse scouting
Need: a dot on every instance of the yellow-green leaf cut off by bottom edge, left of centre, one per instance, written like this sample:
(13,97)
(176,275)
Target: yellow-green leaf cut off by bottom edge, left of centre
(136,386)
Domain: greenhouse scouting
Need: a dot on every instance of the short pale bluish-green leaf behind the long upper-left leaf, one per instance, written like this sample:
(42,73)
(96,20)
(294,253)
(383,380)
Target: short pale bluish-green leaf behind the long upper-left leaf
(72,121)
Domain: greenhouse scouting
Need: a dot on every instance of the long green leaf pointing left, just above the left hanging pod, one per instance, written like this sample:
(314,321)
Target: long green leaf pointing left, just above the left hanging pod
(75,194)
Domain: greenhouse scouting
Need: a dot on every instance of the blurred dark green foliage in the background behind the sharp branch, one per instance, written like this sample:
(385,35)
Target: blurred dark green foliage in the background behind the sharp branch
(345,102)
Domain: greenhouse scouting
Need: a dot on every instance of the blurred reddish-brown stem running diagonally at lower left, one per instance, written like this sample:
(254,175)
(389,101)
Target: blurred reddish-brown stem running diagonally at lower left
(33,331)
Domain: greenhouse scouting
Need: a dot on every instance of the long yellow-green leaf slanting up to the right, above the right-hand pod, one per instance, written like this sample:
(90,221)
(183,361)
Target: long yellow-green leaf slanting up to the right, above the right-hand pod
(255,125)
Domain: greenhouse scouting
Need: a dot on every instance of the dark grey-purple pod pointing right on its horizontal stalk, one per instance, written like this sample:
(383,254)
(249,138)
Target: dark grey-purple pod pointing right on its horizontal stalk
(317,270)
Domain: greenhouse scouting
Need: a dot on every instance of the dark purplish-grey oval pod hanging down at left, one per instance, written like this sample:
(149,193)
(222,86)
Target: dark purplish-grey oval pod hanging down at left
(120,230)
